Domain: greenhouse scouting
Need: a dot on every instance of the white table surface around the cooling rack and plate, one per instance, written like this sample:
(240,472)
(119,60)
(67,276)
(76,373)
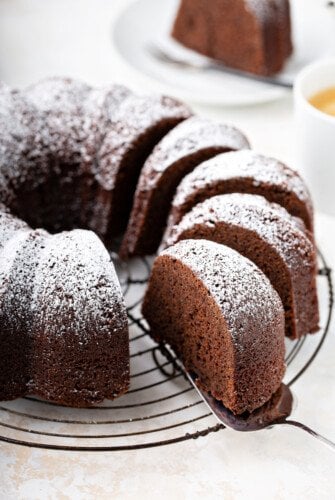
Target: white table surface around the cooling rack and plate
(72,37)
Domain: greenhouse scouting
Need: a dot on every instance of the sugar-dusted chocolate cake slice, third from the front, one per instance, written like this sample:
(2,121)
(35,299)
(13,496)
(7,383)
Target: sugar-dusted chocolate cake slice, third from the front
(242,172)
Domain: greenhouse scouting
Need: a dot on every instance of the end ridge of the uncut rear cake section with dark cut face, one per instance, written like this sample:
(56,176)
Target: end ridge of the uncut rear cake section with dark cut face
(134,128)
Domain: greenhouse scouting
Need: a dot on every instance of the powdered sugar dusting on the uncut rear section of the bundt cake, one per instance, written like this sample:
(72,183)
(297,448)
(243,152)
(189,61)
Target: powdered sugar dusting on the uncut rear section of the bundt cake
(65,130)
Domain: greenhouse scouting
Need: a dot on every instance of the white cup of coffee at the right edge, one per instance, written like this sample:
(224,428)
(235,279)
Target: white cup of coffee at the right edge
(316,134)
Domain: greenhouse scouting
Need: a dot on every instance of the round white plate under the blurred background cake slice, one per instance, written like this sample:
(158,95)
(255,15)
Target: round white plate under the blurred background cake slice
(144,22)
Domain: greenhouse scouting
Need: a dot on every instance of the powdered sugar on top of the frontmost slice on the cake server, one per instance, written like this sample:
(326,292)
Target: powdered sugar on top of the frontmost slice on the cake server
(241,290)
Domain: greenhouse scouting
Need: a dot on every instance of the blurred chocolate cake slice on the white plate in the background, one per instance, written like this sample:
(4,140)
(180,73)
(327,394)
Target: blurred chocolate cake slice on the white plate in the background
(249,35)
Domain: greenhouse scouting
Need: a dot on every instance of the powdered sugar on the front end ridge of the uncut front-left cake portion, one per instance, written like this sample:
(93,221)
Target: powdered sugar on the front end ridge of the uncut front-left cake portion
(77,280)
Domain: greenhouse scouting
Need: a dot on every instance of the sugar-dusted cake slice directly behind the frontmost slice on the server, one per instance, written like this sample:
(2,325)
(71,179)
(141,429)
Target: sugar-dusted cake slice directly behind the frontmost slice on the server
(266,234)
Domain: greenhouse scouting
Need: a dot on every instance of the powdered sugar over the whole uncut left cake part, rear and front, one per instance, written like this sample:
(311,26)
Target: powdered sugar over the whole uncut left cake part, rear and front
(57,127)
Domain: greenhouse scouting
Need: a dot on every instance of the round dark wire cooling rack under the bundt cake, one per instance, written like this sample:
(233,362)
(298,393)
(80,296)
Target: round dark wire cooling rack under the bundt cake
(161,406)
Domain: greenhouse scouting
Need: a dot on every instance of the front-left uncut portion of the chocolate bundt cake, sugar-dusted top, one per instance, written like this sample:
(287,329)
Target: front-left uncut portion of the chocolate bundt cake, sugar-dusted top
(64,330)
